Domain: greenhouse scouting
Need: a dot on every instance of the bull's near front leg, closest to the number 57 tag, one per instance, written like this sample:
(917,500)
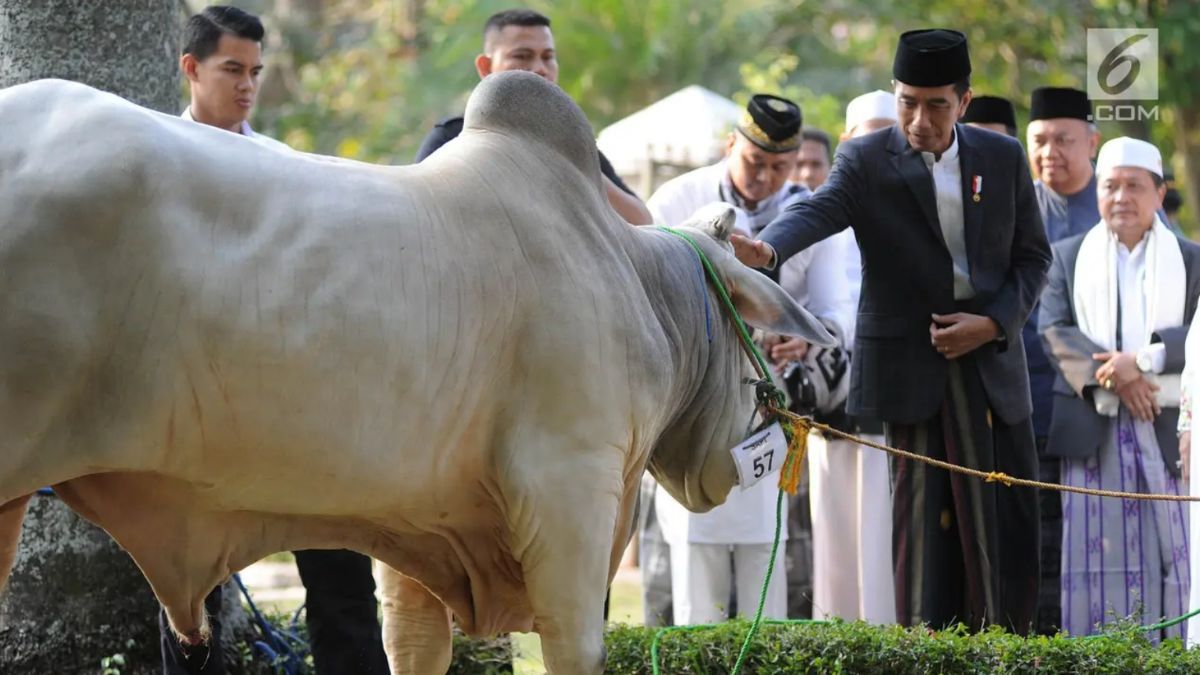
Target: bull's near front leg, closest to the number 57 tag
(567,568)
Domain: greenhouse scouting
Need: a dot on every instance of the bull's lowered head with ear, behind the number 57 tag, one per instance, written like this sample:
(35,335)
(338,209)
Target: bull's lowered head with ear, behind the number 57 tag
(693,459)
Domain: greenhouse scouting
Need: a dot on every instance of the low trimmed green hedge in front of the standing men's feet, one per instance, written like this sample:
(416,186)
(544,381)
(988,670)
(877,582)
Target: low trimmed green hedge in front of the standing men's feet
(860,648)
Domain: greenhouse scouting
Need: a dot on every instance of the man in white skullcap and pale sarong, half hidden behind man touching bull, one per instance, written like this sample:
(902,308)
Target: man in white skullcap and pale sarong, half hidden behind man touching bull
(850,492)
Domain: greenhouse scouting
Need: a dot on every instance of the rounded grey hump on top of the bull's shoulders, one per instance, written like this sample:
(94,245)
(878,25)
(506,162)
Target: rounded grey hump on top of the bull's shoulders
(527,106)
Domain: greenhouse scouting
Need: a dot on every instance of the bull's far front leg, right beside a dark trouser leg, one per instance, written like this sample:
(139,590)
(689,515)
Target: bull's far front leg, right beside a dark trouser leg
(416,626)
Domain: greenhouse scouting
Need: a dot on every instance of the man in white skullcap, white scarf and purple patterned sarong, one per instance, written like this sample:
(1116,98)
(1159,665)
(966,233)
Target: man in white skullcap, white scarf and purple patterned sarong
(1114,321)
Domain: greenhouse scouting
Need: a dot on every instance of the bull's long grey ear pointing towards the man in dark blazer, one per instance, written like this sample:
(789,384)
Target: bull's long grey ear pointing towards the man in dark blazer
(765,306)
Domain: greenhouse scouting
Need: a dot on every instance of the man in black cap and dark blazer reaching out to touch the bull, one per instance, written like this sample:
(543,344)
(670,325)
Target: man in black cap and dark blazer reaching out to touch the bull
(955,258)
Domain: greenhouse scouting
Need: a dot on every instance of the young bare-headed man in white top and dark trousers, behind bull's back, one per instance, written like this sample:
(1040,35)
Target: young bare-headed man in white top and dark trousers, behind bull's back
(223,61)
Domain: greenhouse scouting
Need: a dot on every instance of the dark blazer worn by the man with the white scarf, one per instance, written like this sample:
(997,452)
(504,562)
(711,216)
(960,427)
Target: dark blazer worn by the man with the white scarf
(1077,431)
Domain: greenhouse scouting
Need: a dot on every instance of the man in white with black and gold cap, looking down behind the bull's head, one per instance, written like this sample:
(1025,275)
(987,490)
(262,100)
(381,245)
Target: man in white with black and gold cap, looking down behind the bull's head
(705,549)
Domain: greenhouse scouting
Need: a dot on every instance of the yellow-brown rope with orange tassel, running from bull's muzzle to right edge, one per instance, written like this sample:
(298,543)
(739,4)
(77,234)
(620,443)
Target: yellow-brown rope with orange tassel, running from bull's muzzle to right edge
(800,427)
